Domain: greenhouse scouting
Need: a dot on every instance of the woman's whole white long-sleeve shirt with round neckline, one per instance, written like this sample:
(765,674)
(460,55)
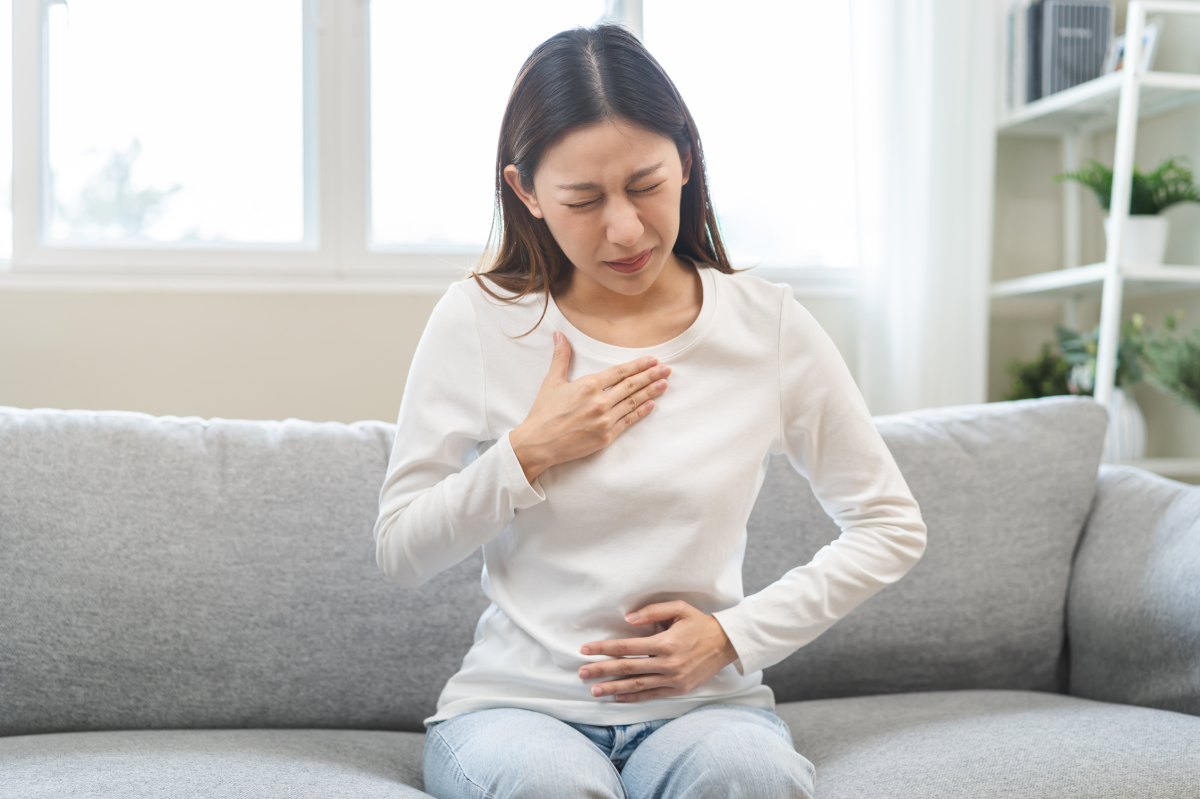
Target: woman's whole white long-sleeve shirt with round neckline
(658,515)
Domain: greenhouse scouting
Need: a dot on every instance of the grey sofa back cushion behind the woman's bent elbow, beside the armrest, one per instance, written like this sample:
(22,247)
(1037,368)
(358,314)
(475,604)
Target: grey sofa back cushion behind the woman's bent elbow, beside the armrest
(1004,490)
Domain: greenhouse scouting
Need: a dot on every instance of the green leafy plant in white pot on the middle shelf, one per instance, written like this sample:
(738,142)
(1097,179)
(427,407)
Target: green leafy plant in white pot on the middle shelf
(1145,236)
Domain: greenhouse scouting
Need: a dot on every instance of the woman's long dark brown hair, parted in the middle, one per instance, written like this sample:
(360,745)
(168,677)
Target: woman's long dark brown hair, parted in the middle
(574,79)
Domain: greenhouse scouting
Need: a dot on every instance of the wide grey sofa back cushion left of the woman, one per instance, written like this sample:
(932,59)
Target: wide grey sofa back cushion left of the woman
(185,573)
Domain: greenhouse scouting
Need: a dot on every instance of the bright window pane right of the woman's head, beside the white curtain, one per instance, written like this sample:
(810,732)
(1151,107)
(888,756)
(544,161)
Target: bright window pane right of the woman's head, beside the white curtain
(770,88)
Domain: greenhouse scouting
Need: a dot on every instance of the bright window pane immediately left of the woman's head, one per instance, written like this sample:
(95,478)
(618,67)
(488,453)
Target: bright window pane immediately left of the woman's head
(434,140)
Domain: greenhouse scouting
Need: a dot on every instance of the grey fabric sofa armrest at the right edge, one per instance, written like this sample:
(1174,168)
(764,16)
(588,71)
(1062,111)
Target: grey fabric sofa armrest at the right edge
(1133,609)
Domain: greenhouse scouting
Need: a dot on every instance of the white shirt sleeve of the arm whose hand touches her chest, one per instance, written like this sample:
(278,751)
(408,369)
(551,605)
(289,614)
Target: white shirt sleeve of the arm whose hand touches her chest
(442,500)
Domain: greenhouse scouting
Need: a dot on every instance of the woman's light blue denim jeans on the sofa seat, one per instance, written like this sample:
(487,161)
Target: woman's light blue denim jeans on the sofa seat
(717,750)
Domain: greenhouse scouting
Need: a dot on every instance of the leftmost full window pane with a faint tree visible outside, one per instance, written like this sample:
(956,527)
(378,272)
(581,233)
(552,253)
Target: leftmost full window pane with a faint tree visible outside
(175,123)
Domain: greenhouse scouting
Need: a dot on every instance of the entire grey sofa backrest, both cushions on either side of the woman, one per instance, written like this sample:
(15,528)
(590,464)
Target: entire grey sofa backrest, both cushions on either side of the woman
(187,573)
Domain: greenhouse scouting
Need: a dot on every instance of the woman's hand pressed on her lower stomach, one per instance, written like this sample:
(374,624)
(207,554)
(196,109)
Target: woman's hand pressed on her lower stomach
(681,659)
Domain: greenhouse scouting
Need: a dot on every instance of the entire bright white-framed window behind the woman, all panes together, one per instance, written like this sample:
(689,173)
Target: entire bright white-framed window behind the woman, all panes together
(356,140)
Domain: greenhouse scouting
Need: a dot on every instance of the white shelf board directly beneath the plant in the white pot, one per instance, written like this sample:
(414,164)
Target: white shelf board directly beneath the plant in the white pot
(1088,281)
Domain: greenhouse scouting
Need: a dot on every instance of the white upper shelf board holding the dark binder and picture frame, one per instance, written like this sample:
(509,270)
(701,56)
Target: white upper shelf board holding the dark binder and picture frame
(1093,106)
